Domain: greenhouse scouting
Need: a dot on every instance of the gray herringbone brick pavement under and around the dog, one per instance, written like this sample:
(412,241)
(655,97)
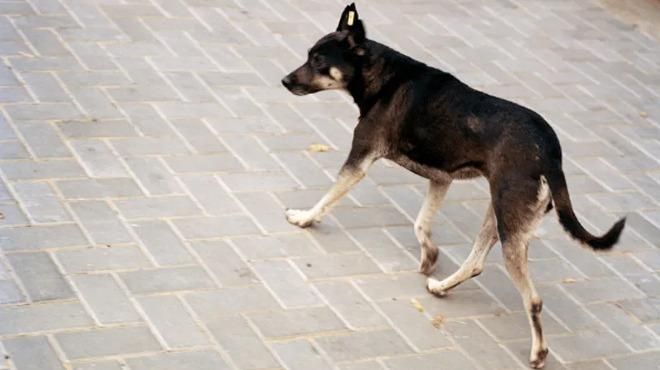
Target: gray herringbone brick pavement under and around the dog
(147,152)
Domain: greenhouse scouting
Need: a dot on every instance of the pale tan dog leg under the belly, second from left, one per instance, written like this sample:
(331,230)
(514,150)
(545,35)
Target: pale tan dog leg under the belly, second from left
(429,251)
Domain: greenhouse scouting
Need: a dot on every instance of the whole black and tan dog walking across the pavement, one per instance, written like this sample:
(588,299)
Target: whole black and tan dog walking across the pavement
(432,124)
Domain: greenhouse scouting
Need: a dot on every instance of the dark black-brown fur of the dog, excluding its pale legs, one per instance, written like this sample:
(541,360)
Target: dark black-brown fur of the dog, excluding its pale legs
(438,127)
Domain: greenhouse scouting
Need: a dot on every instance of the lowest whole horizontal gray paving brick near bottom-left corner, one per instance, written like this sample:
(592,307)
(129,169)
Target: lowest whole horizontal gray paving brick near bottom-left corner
(107,342)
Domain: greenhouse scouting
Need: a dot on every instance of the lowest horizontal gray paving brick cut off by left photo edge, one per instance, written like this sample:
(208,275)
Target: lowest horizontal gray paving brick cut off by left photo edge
(39,318)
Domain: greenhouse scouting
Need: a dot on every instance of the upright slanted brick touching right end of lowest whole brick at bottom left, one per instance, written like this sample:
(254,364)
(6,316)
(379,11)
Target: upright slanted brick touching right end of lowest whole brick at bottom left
(182,332)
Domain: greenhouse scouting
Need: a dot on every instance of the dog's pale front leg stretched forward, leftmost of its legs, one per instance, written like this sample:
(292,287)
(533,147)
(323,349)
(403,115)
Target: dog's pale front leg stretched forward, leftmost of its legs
(350,174)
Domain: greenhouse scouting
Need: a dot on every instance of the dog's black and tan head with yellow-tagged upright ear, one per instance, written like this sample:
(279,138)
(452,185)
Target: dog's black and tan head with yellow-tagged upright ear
(331,62)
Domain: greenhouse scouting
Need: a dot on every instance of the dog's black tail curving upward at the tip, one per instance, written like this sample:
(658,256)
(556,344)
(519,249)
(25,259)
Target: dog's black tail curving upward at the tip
(567,218)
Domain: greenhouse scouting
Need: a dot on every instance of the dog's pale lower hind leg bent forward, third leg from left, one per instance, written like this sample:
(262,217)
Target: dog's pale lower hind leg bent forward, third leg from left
(474,264)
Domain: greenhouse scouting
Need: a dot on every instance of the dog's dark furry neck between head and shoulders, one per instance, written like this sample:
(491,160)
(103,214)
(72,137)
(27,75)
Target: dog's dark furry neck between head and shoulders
(381,71)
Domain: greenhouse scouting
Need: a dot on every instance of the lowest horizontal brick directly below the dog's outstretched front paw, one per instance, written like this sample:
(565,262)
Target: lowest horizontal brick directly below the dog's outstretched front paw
(296,322)
